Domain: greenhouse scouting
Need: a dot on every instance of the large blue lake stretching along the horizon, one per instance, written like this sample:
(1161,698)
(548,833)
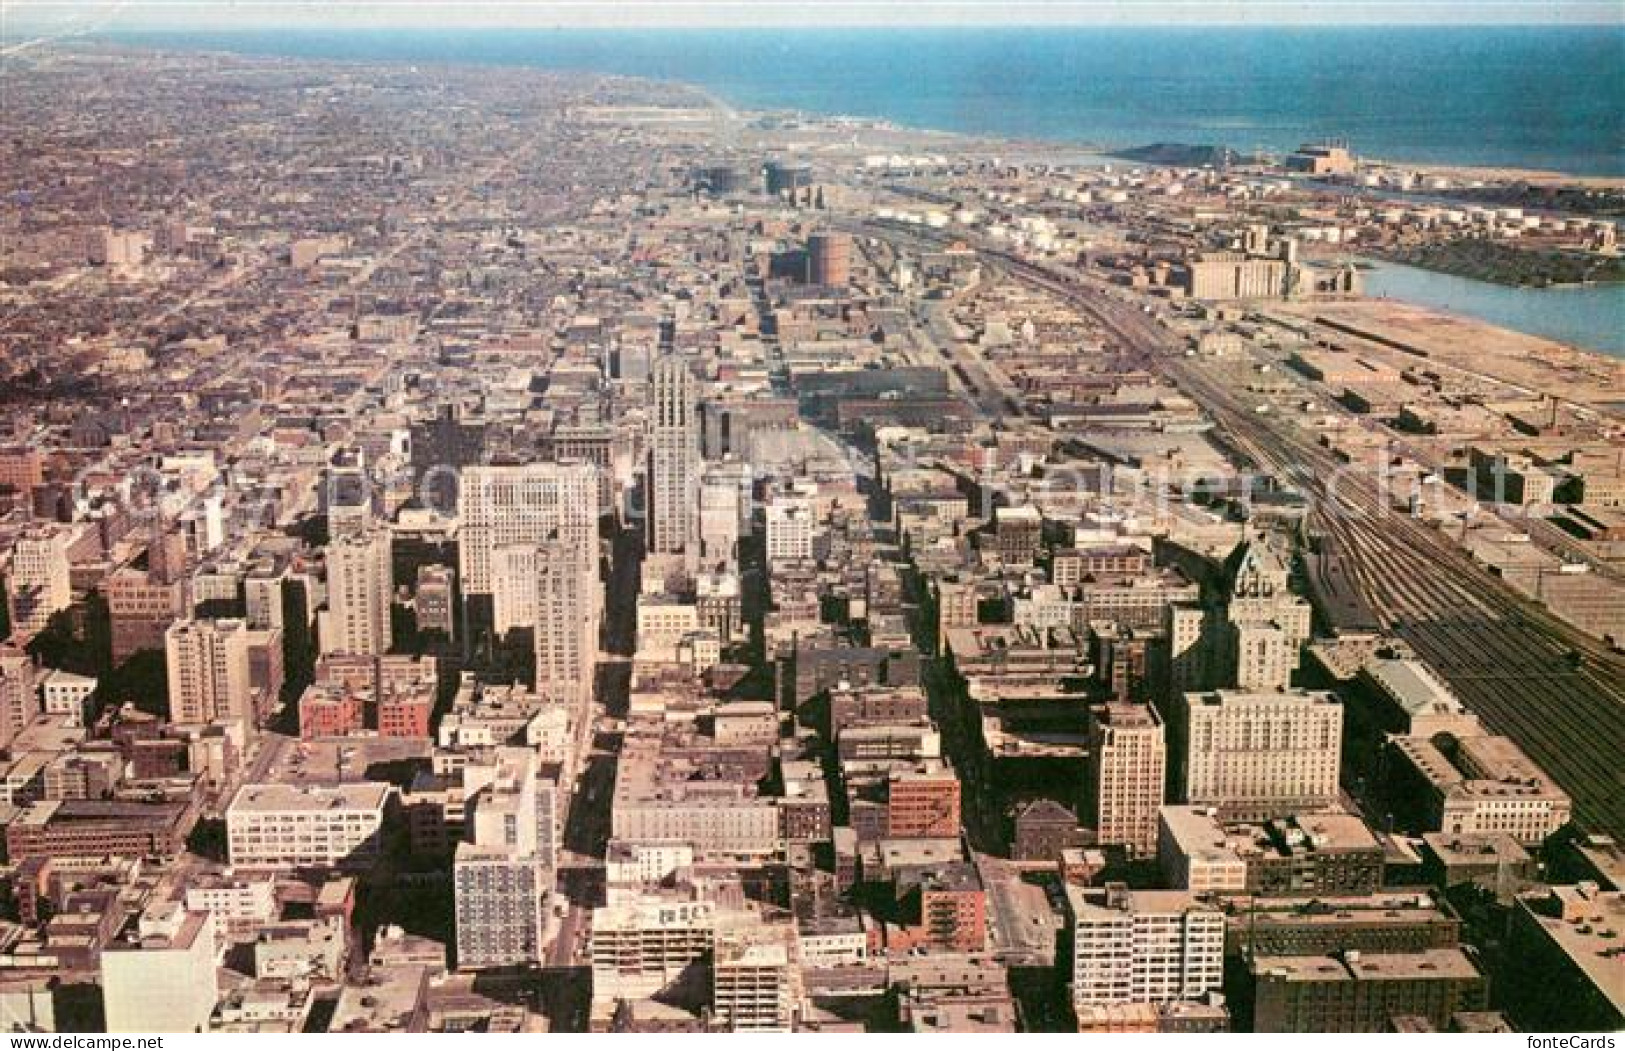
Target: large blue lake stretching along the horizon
(1548,98)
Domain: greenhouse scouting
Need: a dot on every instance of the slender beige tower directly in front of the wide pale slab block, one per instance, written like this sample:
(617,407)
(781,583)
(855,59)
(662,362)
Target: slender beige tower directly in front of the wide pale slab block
(568,616)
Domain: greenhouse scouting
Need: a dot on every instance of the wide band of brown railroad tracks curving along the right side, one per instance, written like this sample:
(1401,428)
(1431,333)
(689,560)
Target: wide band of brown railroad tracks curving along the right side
(1507,659)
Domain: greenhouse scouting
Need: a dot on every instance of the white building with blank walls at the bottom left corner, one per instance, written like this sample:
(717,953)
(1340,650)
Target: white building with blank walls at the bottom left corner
(160,977)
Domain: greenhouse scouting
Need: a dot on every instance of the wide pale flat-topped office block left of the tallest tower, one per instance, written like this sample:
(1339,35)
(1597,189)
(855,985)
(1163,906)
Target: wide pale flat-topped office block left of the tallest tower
(522,506)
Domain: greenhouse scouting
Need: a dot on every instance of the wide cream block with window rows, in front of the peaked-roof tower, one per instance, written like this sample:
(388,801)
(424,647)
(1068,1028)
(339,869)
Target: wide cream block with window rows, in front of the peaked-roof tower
(1260,756)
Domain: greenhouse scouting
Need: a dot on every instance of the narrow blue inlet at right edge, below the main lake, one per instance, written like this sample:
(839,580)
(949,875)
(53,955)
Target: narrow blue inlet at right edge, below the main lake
(1587,316)
